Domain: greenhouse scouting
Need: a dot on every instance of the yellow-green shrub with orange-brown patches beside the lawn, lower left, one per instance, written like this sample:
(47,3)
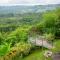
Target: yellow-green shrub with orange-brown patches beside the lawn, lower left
(19,50)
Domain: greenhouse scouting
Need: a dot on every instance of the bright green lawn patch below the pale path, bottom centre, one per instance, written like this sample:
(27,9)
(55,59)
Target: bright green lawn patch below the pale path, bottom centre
(36,55)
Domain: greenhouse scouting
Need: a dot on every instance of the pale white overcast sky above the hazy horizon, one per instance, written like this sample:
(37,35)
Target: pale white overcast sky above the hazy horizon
(28,2)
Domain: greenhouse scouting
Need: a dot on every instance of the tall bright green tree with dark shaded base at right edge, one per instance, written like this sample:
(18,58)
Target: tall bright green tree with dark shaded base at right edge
(51,22)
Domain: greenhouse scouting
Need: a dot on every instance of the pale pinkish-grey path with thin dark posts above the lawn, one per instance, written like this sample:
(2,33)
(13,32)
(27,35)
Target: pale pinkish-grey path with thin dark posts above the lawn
(40,42)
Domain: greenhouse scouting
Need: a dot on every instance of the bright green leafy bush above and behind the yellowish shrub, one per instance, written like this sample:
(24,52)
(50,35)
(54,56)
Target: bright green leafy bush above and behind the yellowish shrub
(17,36)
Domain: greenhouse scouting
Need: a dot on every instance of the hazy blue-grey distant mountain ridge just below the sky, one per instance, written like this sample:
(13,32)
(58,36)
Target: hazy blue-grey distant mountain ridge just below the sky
(27,9)
